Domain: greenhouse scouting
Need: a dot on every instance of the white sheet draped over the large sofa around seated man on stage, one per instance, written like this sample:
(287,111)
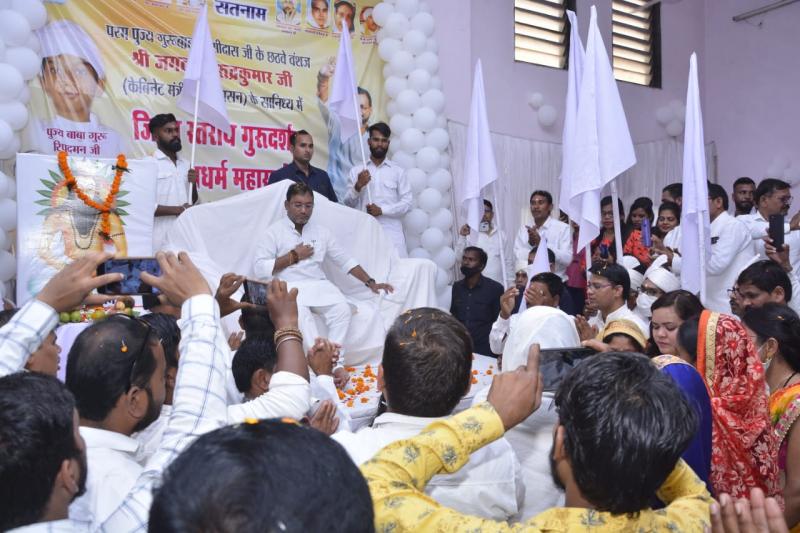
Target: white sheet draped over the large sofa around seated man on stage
(218,244)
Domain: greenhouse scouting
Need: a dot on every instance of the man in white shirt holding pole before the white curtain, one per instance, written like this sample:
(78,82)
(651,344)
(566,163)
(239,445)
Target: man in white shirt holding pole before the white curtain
(558,234)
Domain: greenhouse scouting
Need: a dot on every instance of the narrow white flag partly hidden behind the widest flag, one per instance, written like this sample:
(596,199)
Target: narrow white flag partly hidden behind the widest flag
(574,73)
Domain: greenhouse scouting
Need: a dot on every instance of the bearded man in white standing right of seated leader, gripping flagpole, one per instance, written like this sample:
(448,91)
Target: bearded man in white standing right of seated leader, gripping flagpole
(381,189)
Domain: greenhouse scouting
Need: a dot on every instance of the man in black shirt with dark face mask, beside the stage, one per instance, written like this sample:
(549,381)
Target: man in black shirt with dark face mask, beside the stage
(476,299)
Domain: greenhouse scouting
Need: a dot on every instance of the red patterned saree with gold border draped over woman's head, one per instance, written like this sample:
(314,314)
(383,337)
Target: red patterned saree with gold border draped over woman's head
(744,448)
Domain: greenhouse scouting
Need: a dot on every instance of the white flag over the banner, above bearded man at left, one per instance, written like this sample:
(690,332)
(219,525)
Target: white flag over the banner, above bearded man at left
(202,74)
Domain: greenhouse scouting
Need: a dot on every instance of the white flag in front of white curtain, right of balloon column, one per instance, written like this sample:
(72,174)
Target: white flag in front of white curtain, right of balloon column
(480,168)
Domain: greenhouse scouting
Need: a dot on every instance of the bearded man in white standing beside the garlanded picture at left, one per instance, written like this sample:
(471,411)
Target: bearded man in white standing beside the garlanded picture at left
(174,177)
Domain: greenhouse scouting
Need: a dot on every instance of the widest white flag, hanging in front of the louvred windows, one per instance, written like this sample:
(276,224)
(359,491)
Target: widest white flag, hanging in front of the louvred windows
(603,146)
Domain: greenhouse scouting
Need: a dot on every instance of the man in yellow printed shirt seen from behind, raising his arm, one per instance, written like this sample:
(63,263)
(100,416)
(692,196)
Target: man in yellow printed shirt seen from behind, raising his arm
(622,427)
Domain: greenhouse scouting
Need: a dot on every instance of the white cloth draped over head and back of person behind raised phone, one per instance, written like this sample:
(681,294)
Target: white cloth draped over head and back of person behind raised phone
(533,438)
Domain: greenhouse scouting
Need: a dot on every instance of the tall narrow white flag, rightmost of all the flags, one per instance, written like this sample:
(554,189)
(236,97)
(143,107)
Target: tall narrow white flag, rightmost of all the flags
(695,225)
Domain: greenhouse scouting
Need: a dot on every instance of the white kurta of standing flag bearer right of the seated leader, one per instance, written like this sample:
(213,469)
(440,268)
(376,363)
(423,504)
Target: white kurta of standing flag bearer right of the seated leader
(388,189)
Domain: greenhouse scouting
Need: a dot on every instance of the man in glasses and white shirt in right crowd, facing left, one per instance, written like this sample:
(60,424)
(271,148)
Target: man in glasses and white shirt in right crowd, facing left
(607,291)
